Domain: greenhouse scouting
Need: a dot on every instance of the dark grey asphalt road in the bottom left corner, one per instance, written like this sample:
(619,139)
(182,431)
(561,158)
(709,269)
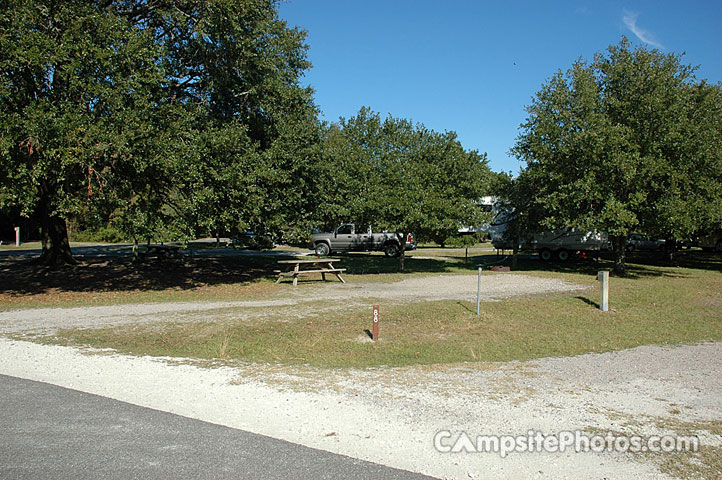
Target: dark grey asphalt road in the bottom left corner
(48,431)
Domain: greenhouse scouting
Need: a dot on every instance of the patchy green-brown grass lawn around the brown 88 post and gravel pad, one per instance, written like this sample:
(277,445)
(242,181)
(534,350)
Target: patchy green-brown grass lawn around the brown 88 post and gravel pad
(654,305)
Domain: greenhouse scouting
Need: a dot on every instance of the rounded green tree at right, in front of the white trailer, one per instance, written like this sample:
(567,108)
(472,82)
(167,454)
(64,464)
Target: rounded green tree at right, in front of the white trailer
(629,142)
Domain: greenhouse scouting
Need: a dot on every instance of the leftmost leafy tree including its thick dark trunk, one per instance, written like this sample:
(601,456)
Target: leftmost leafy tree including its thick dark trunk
(79,105)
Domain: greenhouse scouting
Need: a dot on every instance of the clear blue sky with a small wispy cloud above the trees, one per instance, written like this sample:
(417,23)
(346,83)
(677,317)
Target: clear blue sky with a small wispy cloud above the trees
(472,65)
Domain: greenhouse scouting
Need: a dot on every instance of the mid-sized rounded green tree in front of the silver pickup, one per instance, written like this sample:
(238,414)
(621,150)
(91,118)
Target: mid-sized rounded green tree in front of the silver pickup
(400,177)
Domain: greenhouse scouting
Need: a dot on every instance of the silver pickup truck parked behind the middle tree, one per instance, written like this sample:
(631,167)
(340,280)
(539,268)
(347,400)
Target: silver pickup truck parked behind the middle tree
(346,238)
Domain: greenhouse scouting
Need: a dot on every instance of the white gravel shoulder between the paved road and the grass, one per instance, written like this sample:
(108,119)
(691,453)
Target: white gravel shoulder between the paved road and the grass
(390,416)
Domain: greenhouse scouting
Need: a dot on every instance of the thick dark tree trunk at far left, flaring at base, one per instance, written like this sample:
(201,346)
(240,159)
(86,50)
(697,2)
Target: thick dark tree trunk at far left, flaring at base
(56,244)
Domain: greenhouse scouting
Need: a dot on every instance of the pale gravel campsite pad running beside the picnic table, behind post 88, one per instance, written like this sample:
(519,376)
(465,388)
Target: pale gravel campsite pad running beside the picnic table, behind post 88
(296,300)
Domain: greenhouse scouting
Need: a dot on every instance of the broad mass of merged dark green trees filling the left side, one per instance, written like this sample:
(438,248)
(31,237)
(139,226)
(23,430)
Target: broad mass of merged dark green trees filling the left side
(168,116)
